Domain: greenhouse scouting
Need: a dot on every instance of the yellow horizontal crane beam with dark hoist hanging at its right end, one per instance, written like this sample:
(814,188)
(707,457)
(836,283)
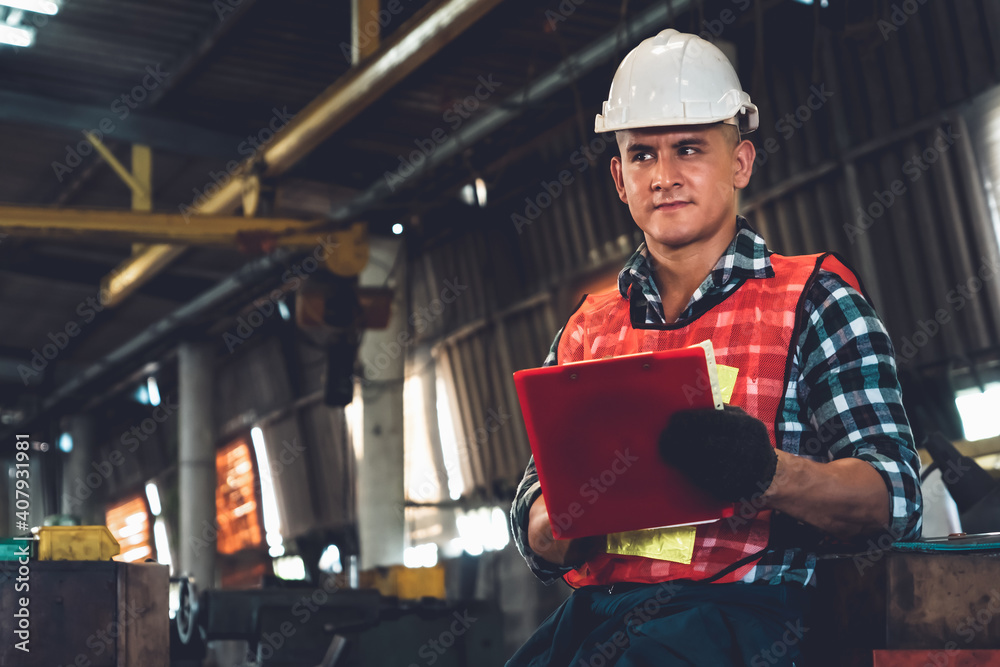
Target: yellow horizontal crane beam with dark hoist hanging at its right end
(330,307)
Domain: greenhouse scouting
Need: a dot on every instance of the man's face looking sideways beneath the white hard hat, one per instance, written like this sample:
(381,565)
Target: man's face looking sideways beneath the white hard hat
(680,182)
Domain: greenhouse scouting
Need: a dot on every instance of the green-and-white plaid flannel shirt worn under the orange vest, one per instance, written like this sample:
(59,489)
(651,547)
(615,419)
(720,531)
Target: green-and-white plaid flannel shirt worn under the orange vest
(843,398)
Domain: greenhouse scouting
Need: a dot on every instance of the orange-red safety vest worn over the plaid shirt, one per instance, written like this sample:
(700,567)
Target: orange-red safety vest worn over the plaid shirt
(754,330)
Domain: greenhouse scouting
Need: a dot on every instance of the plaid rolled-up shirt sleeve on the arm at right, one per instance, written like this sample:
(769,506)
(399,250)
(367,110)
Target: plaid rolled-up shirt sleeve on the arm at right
(849,383)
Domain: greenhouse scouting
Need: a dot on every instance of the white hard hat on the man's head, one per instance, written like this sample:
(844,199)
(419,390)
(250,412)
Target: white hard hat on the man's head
(675,79)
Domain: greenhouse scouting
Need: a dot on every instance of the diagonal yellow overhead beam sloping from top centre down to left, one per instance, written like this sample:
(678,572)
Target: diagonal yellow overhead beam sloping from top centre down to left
(399,56)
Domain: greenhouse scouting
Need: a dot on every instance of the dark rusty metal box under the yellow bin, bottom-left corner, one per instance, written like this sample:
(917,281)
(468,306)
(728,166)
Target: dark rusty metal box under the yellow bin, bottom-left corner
(94,613)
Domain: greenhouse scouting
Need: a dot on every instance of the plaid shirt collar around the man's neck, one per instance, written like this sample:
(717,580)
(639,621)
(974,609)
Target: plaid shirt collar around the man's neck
(746,257)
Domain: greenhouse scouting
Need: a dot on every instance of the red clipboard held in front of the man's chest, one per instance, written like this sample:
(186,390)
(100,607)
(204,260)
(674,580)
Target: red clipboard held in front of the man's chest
(594,428)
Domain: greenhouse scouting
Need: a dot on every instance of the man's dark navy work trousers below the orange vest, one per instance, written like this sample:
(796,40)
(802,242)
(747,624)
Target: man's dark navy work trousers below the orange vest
(673,623)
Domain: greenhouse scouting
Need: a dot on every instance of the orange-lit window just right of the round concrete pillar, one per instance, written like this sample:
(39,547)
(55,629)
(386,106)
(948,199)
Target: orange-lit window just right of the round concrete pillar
(236,498)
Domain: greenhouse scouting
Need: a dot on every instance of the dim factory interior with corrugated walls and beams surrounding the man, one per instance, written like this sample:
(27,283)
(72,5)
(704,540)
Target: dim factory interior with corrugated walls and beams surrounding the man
(267,270)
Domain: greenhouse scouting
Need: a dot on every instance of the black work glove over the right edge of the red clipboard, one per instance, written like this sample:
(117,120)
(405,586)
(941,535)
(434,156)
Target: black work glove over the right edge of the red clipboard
(725,452)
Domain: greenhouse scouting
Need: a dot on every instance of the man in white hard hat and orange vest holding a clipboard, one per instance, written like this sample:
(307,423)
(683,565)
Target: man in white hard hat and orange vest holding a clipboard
(820,446)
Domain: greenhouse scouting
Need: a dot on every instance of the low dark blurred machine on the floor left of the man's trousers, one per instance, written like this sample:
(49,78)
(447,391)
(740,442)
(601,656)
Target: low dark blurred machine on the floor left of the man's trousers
(303,625)
